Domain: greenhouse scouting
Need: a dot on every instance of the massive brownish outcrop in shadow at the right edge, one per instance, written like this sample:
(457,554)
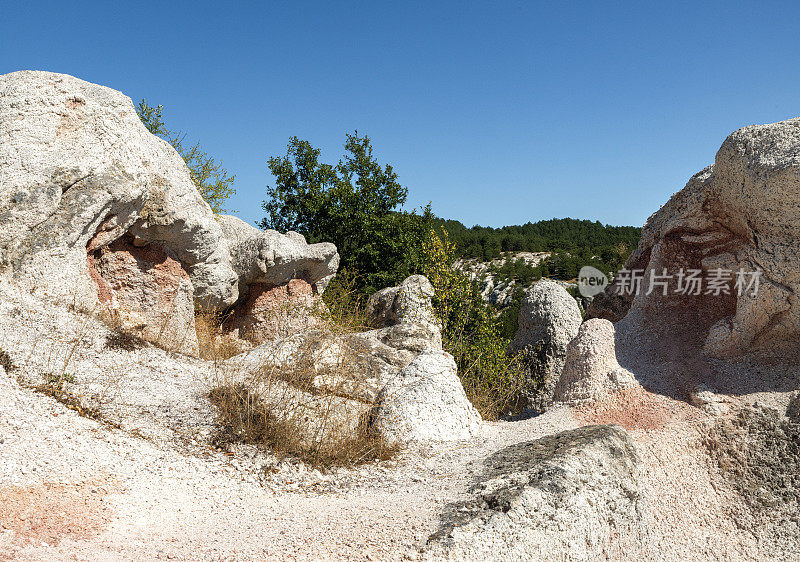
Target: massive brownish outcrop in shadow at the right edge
(739,216)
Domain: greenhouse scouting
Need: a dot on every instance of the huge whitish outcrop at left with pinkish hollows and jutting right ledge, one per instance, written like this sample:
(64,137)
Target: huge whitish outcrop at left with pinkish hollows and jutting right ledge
(79,173)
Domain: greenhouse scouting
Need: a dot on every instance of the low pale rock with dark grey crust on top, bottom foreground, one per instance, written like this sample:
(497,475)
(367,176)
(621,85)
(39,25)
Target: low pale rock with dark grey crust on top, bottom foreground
(571,496)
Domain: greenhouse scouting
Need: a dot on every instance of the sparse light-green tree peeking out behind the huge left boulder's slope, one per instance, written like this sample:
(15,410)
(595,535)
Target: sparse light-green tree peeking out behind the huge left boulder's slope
(212,180)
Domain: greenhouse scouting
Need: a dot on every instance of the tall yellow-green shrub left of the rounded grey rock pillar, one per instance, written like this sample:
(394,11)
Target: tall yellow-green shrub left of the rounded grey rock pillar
(470,332)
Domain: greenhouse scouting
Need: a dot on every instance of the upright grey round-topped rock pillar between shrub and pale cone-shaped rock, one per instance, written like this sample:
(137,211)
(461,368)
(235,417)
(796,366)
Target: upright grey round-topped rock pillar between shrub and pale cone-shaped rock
(548,320)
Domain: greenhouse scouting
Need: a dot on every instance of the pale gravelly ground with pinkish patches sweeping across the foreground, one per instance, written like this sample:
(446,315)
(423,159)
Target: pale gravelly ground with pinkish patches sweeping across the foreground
(141,482)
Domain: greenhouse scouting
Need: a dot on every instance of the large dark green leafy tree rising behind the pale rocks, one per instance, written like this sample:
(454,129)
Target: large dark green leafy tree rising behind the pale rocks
(354,204)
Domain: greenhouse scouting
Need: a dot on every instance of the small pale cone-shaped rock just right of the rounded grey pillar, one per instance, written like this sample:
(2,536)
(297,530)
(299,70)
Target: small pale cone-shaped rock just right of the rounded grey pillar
(591,370)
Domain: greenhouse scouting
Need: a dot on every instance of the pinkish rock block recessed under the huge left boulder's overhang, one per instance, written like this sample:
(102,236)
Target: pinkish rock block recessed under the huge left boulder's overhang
(145,292)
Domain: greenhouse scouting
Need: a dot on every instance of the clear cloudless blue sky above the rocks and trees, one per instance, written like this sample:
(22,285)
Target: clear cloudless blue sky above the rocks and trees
(498,113)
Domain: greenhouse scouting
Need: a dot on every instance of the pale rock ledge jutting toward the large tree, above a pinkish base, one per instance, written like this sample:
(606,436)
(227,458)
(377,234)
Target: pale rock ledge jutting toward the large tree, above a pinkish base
(272,259)
